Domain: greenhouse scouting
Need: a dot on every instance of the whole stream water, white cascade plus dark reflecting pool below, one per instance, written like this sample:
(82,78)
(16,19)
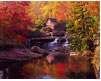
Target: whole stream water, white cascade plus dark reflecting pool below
(57,65)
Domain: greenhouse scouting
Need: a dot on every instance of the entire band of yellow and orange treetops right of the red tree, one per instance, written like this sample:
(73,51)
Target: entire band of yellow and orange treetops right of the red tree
(61,10)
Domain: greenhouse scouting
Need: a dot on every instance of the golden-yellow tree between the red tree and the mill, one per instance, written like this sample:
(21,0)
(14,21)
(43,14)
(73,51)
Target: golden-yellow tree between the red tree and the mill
(34,11)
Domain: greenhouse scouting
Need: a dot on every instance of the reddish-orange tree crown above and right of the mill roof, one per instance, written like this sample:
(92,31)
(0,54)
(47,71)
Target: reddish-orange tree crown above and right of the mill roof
(64,10)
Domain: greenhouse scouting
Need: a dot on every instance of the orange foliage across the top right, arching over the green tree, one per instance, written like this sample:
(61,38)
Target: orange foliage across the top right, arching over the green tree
(65,9)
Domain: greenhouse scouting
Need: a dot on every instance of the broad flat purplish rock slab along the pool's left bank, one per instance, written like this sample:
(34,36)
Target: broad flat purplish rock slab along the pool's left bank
(18,56)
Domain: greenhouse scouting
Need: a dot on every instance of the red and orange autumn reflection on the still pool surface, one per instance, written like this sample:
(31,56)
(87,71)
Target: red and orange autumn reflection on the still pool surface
(62,69)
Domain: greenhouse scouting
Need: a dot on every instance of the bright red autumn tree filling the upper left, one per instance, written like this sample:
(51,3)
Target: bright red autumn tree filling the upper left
(13,20)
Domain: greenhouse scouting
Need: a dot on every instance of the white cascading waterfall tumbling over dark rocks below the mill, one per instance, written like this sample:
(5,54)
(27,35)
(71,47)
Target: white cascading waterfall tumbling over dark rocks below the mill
(59,42)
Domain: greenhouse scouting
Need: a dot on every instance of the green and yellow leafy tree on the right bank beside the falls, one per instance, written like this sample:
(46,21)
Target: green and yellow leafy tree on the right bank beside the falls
(82,30)
